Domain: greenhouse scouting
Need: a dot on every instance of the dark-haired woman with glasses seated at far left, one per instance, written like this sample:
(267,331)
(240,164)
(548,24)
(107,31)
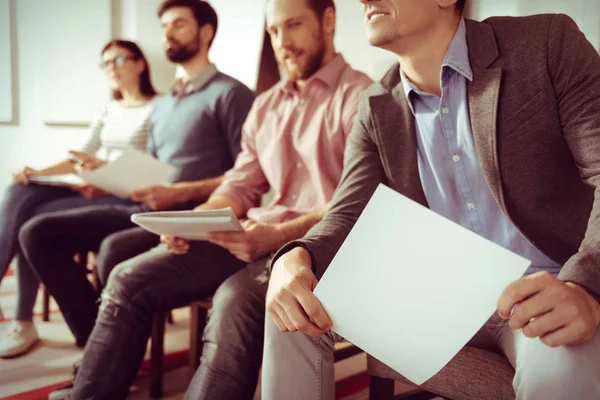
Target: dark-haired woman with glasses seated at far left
(121,124)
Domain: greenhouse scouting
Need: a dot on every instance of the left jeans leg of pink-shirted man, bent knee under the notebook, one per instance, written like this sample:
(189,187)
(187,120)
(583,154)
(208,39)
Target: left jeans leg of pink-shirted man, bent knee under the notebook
(153,281)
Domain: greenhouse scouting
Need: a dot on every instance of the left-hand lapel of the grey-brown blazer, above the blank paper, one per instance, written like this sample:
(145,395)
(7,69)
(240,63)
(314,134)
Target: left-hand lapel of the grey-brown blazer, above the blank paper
(396,136)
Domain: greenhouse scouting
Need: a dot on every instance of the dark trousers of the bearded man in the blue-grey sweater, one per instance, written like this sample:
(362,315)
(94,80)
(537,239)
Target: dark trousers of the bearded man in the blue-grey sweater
(49,241)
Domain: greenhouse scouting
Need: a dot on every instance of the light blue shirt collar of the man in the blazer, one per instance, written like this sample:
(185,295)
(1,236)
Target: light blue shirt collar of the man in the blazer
(457,59)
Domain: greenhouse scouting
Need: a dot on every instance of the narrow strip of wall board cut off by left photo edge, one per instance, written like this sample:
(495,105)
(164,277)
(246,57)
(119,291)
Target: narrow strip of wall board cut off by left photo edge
(6,76)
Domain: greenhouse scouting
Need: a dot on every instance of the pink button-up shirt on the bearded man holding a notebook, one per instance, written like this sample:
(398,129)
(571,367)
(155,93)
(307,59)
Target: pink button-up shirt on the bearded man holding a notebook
(294,143)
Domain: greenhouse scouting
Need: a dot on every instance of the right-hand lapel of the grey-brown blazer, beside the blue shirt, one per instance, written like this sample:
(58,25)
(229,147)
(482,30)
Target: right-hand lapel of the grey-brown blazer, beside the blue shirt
(483,95)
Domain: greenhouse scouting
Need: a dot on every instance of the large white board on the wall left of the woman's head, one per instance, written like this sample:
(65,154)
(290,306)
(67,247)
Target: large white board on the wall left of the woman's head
(70,35)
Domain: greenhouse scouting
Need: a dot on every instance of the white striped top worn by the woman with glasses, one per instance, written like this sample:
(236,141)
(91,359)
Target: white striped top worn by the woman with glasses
(119,127)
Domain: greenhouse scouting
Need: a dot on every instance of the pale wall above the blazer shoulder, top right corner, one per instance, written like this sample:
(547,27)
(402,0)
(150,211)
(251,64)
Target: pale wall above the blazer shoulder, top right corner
(585,12)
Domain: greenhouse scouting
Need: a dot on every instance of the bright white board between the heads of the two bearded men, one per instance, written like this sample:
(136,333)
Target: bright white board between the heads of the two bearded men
(237,47)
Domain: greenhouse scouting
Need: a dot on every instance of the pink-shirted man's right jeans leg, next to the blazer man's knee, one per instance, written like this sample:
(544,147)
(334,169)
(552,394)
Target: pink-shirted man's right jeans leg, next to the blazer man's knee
(233,338)
